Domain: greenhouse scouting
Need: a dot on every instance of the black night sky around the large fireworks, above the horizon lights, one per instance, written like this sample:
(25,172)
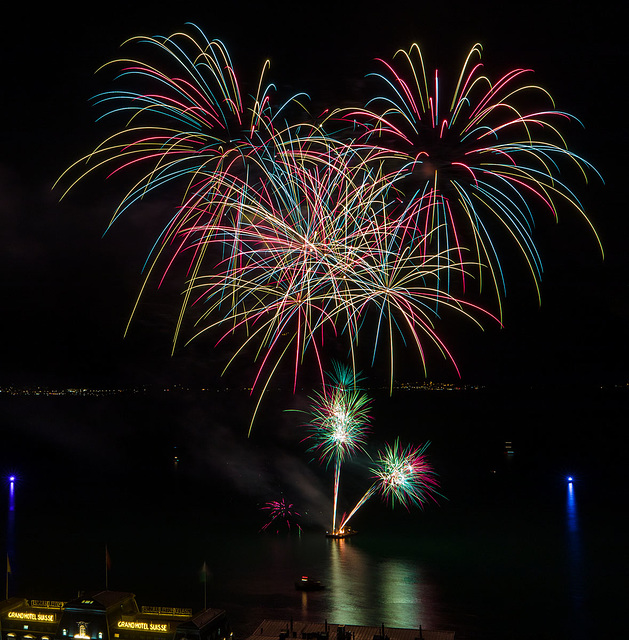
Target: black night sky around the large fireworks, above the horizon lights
(67,291)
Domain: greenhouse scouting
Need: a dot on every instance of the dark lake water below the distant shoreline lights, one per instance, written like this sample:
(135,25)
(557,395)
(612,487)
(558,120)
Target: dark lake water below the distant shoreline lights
(513,550)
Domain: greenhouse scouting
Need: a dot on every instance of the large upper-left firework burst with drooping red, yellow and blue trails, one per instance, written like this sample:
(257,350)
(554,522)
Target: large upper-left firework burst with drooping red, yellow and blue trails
(185,118)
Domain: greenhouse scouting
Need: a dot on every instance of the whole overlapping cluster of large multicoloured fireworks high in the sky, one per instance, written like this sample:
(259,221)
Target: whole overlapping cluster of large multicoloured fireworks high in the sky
(291,232)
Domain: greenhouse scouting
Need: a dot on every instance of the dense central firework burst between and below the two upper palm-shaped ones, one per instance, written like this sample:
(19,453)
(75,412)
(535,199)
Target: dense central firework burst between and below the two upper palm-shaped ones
(312,249)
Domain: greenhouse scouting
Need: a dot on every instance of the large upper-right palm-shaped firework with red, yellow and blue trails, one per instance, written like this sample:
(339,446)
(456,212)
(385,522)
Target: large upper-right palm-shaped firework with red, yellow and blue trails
(489,155)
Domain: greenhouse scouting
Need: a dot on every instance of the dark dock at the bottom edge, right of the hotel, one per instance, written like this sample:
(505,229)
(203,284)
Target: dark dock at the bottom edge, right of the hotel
(284,630)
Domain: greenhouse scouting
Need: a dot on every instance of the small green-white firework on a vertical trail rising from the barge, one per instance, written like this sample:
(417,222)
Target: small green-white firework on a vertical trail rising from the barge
(339,423)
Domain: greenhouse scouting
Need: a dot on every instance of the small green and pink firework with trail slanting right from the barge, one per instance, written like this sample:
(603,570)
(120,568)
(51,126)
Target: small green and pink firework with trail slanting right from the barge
(402,475)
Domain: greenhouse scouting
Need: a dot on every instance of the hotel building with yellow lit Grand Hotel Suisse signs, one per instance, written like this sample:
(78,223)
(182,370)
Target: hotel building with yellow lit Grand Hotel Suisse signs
(107,615)
